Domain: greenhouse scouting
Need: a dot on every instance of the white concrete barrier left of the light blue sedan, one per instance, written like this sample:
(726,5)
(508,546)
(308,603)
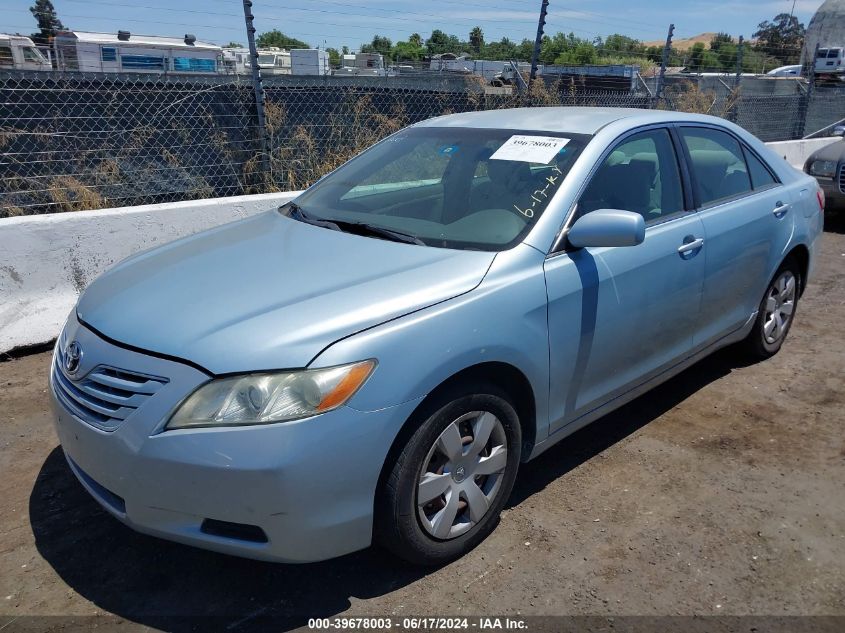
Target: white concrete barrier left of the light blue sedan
(47,260)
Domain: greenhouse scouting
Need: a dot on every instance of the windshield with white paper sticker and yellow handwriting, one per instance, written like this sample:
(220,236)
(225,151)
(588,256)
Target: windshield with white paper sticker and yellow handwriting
(449,187)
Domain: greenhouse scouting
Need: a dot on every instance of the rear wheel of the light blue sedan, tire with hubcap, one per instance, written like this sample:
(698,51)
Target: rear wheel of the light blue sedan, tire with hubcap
(772,323)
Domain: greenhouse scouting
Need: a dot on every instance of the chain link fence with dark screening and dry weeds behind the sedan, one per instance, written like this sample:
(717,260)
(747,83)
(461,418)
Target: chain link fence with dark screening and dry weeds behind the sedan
(73,141)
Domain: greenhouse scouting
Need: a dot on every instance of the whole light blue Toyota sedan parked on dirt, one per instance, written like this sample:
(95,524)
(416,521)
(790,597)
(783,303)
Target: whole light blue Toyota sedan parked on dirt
(372,362)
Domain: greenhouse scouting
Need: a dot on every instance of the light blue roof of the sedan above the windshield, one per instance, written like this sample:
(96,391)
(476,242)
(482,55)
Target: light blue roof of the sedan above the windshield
(570,120)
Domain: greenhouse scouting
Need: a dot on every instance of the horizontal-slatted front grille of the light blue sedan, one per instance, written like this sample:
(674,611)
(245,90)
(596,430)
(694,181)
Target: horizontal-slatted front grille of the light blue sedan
(106,396)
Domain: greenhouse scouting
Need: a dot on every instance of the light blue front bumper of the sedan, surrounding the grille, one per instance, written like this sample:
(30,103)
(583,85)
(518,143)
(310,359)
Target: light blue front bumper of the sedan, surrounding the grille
(307,485)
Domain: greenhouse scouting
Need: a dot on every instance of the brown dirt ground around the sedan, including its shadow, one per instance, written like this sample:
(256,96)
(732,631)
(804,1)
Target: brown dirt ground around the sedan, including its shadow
(720,493)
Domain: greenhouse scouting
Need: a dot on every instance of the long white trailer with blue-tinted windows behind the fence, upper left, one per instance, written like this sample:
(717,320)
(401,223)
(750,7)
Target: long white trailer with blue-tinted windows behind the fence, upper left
(123,52)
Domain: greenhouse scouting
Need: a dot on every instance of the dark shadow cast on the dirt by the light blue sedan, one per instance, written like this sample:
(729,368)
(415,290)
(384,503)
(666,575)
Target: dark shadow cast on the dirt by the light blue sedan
(167,585)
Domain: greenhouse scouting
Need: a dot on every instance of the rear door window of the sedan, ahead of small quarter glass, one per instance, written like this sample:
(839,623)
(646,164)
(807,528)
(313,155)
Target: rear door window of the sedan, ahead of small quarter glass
(717,164)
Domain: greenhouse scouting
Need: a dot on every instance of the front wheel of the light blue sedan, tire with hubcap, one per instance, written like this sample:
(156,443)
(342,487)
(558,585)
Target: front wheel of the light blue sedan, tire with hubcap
(425,535)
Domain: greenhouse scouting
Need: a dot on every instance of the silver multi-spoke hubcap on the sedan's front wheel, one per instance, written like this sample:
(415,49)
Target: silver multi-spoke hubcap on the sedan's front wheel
(462,474)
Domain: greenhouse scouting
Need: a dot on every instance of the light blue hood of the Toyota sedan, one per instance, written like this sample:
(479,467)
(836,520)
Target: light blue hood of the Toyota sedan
(269,292)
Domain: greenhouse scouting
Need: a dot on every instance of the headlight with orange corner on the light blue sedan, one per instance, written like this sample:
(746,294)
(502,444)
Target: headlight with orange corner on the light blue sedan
(271,397)
